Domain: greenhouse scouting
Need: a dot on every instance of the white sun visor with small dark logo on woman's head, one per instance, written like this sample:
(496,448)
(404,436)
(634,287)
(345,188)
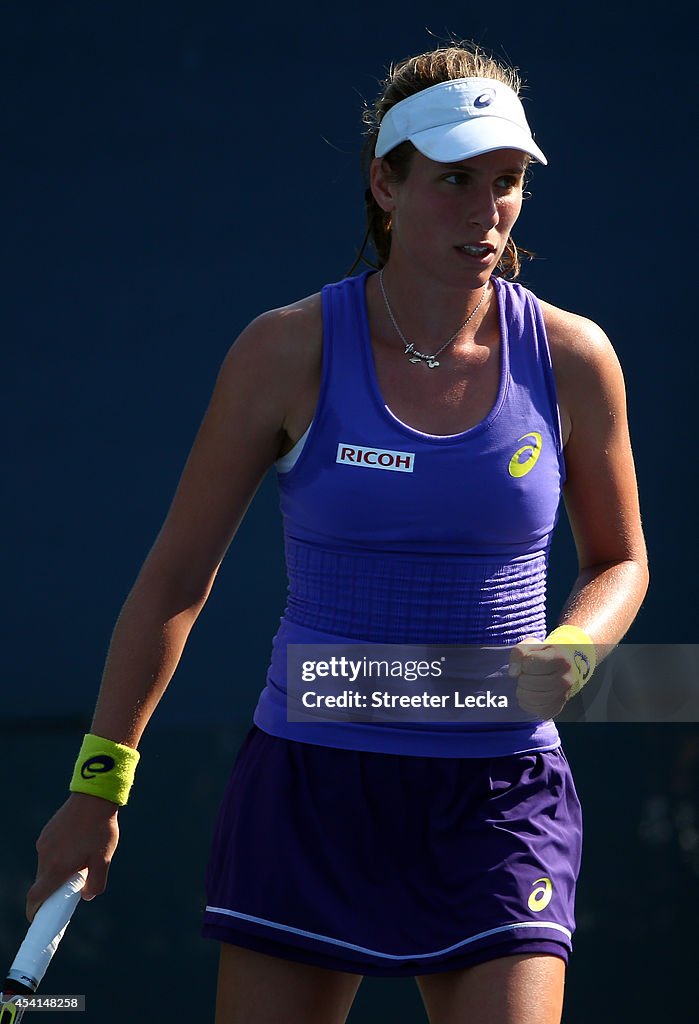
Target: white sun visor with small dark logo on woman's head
(458,120)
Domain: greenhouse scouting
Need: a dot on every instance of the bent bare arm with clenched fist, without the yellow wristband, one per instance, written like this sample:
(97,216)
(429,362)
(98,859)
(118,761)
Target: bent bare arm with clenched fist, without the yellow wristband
(602,502)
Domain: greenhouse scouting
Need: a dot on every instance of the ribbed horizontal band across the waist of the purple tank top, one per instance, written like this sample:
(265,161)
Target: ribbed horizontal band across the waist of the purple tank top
(399,599)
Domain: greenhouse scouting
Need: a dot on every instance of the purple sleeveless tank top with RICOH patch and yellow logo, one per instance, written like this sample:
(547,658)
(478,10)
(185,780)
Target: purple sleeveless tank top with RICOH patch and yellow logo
(395,536)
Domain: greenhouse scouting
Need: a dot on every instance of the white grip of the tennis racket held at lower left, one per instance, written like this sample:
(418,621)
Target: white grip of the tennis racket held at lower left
(46,933)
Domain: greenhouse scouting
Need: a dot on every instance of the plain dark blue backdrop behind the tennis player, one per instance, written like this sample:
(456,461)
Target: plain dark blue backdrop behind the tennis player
(172,169)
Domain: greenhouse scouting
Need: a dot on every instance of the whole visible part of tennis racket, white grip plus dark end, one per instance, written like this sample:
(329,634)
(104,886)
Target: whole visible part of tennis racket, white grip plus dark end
(36,952)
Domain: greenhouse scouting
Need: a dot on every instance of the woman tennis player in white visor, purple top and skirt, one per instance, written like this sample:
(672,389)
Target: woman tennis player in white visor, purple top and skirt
(424,421)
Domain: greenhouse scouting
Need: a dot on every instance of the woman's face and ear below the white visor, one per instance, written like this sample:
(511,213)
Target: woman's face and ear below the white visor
(453,221)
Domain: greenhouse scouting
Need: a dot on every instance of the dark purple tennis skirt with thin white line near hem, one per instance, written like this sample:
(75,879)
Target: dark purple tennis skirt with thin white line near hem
(394,866)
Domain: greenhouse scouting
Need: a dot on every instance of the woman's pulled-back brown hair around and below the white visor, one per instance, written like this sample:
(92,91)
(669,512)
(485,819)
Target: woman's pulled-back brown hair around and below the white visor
(405,79)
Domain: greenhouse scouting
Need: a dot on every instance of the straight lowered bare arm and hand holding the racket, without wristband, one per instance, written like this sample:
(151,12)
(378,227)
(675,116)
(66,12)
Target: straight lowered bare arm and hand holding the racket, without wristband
(252,417)
